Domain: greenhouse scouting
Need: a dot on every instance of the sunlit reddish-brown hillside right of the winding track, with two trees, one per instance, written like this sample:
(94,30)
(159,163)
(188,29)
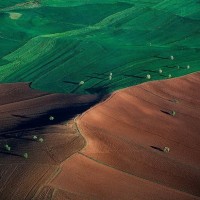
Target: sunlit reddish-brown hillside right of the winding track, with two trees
(125,137)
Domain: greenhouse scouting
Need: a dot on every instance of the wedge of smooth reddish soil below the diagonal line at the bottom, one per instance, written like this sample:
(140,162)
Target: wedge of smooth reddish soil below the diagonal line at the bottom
(82,175)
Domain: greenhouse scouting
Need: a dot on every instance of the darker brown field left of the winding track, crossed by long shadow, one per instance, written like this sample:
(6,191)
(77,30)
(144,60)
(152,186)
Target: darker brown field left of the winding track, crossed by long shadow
(24,113)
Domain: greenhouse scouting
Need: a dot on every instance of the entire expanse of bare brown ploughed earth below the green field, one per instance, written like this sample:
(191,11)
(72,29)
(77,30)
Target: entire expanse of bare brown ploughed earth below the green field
(122,155)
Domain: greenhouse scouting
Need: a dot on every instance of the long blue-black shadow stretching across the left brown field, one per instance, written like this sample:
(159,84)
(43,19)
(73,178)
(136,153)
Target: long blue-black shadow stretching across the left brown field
(62,114)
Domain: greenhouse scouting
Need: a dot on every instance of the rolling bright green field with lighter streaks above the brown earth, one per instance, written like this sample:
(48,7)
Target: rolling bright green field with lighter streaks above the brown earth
(55,44)
